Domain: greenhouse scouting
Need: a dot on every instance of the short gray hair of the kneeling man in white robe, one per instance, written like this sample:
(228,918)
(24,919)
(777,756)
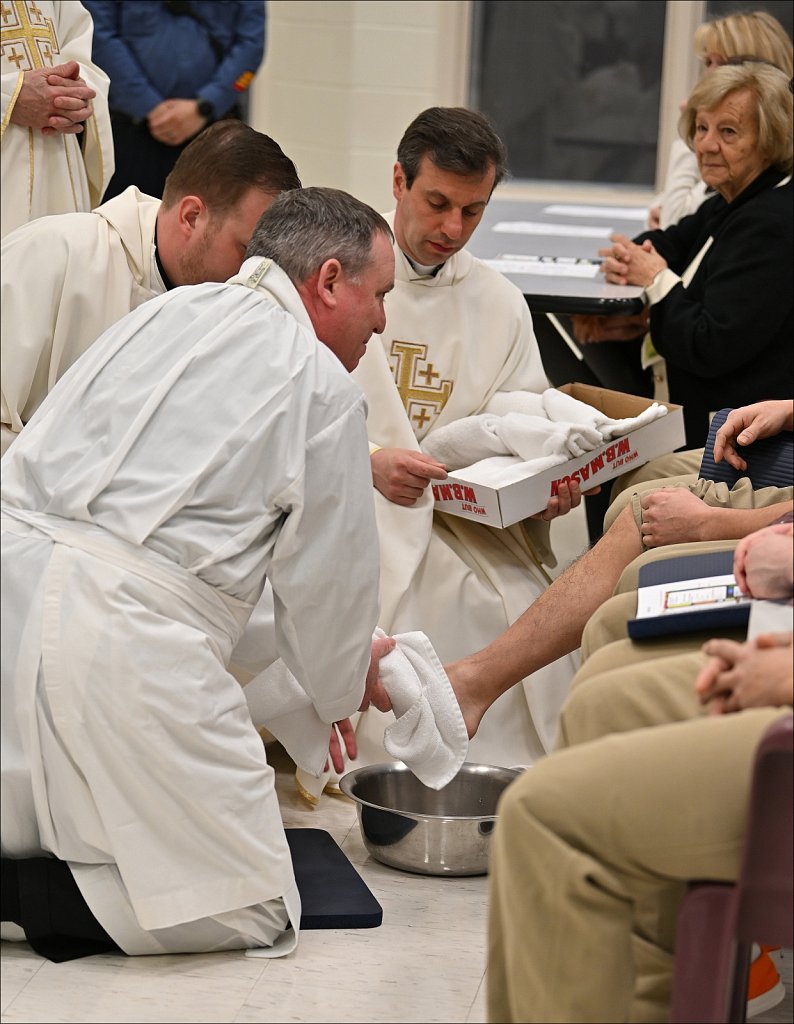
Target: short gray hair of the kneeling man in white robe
(305,228)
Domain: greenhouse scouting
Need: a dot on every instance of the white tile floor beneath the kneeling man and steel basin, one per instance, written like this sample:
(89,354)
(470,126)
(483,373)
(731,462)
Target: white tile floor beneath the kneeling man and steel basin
(426,963)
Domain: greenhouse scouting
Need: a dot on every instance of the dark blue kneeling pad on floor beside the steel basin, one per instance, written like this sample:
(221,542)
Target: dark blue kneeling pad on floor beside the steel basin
(332,892)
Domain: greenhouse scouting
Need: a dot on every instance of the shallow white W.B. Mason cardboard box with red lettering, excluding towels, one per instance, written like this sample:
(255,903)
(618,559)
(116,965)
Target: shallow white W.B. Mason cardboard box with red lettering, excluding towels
(507,505)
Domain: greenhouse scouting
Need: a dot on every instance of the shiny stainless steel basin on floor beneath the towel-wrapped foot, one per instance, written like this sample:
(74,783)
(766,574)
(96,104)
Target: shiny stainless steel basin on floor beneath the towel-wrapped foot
(408,826)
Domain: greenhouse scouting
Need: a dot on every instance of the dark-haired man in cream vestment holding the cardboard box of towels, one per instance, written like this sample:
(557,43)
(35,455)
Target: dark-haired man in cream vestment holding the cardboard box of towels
(457,334)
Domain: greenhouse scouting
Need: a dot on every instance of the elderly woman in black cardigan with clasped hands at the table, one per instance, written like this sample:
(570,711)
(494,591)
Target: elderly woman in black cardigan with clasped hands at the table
(719,284)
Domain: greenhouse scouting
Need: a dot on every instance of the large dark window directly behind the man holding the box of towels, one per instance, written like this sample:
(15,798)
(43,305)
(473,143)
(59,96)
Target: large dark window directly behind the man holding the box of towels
(573,87)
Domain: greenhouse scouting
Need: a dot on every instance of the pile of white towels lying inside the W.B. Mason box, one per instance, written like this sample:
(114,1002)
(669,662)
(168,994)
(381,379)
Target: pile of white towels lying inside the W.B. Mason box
(540,431)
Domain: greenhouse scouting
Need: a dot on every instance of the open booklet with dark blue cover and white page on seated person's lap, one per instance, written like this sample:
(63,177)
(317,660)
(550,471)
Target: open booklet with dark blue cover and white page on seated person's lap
(689,594)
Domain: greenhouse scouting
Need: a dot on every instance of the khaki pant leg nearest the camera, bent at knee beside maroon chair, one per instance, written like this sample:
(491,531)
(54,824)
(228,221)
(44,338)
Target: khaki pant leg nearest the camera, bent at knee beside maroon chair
(593,850)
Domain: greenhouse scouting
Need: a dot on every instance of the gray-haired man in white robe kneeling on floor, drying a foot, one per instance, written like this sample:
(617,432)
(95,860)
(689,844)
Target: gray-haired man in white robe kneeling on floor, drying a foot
(204,444)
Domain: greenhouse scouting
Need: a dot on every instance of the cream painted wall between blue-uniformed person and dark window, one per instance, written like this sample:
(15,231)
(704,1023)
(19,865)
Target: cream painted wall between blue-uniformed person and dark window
(343,79)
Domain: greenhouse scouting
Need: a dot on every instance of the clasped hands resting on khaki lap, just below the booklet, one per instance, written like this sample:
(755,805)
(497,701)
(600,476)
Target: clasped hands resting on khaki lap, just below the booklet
(756,674)
